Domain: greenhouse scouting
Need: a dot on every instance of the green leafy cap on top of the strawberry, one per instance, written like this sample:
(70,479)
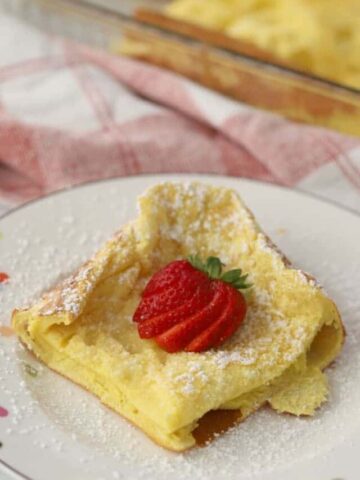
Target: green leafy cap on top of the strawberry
(213,268)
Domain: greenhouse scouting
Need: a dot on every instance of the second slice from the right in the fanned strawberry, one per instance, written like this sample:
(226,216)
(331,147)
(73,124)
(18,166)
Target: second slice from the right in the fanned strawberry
(181,334)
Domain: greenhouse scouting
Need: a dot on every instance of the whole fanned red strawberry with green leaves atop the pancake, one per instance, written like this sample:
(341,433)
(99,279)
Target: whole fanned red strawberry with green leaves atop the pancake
(190,305)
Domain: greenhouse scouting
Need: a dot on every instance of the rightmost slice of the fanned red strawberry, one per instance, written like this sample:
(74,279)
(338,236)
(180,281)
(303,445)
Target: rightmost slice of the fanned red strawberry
(211,335)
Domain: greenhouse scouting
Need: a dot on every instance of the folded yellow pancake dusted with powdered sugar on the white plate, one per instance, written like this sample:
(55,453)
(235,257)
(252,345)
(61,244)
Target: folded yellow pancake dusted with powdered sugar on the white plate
(83,328)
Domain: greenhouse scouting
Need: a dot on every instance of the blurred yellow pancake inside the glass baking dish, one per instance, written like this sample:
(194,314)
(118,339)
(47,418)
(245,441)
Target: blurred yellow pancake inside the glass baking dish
(321,37)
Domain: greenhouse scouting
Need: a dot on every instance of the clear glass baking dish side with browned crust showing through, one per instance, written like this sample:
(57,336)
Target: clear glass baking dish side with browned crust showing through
(139,29)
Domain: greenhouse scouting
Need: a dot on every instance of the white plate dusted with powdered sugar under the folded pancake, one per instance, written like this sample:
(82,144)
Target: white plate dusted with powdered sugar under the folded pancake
(57,431)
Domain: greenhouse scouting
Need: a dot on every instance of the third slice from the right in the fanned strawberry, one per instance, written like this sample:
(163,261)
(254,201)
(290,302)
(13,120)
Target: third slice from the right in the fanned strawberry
(158,324)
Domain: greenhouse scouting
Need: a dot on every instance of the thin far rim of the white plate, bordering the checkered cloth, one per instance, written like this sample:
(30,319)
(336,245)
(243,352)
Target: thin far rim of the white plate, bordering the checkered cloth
(86,183)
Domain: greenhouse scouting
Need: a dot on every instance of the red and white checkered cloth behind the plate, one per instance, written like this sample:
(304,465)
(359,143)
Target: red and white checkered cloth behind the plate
(69,114)
